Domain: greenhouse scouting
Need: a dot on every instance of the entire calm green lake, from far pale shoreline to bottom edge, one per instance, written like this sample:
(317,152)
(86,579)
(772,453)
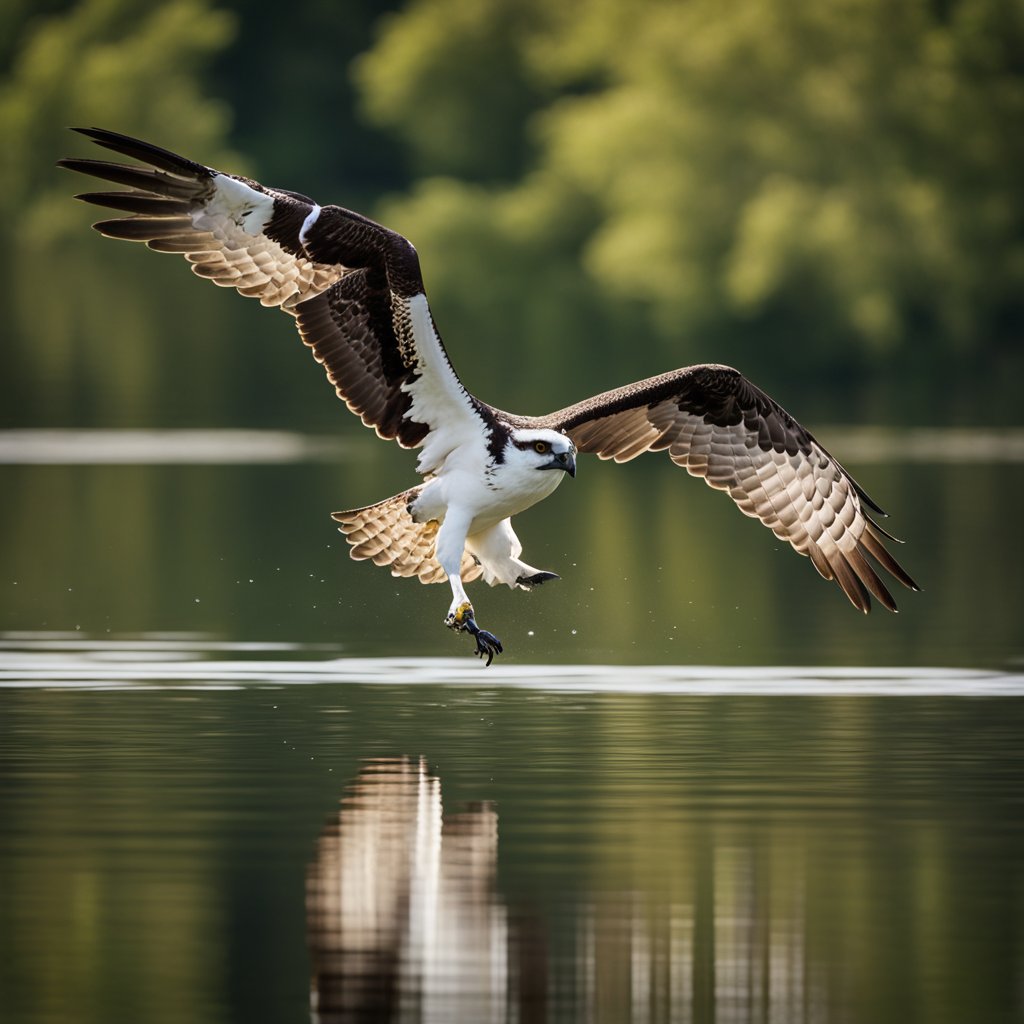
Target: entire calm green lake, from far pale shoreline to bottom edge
(241,776)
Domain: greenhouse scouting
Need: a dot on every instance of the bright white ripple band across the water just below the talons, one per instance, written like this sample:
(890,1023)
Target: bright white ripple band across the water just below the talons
(65,662)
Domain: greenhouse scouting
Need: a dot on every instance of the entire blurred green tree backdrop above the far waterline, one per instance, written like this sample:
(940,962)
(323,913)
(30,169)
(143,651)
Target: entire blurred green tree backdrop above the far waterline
(826,196)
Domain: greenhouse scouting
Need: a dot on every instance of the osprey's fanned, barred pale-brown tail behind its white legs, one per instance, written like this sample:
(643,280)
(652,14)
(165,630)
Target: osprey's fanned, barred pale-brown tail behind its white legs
(388,534)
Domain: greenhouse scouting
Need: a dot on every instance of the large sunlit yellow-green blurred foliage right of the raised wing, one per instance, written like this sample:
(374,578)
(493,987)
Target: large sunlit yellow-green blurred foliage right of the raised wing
(815,189)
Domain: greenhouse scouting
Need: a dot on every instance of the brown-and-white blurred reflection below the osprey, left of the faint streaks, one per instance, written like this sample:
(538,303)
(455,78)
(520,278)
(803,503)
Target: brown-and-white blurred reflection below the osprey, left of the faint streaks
(402,915)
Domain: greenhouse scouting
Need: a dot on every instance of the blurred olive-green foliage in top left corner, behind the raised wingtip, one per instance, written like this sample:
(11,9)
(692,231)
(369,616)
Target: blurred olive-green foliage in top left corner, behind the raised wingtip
(122,64)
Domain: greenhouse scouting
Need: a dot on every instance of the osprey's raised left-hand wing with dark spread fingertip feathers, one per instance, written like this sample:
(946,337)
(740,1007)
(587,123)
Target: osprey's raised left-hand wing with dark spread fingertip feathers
(354,286)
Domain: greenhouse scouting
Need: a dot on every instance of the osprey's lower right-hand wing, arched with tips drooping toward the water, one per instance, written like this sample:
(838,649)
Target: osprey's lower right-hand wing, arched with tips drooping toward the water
(718,425)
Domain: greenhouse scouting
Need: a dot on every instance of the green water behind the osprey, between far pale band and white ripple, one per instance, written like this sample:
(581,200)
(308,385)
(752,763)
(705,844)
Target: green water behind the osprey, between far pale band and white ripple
(229,534)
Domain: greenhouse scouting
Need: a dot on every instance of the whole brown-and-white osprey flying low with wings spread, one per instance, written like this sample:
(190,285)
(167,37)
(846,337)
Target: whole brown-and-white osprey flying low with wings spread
(358,298)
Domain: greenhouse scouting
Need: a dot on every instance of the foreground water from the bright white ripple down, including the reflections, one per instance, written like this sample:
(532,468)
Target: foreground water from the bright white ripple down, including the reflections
(196,832)
